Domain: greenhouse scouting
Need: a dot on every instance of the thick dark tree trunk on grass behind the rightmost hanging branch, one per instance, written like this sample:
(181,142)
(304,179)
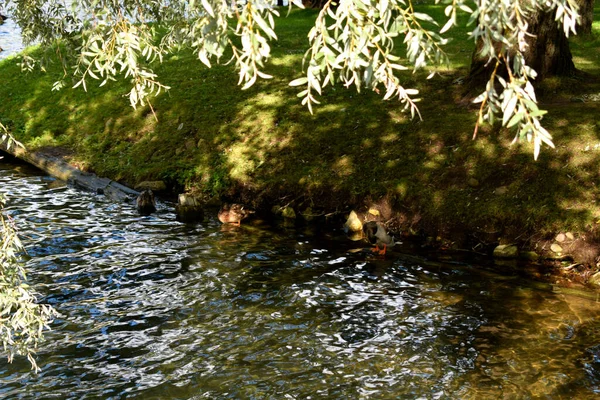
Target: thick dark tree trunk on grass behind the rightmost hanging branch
(548,52)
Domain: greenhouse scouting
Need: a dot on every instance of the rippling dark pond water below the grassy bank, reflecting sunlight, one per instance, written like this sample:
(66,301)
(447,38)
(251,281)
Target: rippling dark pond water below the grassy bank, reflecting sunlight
(151,308)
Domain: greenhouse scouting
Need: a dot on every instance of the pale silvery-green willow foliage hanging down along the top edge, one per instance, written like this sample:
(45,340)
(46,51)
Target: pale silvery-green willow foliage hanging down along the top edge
(359,43)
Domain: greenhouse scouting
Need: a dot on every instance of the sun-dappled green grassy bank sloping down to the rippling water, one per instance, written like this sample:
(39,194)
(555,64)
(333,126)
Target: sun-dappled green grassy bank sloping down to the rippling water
(263,147)
